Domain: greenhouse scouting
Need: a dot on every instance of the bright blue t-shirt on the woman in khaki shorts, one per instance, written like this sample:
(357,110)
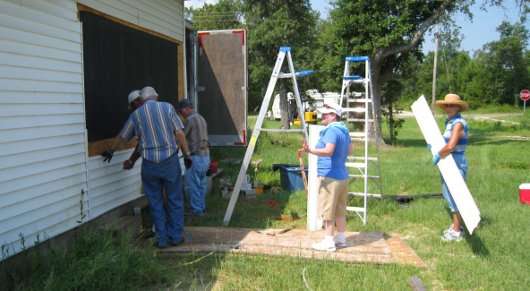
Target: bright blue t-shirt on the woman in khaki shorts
(335,165)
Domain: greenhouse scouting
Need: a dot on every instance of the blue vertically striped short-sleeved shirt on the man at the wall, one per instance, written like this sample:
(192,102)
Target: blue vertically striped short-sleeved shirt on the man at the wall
(154,124)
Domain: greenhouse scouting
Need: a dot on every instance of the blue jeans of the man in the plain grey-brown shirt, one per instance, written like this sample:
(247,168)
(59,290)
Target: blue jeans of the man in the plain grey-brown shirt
(195,178)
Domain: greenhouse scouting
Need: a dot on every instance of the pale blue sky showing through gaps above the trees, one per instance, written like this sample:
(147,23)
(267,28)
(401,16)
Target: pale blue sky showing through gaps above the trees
(475,34)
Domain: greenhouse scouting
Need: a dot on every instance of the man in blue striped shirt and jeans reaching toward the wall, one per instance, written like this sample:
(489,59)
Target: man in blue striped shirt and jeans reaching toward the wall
(155,125)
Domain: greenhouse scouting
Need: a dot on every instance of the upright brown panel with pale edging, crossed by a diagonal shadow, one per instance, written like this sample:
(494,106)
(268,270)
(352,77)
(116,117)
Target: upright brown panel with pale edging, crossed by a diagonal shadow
(222,79)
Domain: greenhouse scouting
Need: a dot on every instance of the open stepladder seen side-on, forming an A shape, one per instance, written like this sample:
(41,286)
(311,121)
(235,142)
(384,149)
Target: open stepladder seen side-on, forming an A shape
(276,74)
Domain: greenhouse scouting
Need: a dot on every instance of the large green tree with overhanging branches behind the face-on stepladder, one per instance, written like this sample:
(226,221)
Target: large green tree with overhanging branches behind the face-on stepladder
(389,31)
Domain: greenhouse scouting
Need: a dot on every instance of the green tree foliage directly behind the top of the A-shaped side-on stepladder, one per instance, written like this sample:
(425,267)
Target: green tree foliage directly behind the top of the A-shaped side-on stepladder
(272,24)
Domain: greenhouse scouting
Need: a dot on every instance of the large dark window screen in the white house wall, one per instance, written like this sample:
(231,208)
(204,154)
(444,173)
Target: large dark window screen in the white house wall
(117,60)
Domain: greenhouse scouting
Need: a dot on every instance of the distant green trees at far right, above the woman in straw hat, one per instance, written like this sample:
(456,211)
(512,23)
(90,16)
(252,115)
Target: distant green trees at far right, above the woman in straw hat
(495,74)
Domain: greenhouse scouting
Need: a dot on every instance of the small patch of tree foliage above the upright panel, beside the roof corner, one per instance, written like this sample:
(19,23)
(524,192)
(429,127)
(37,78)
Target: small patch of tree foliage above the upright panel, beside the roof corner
(226,14)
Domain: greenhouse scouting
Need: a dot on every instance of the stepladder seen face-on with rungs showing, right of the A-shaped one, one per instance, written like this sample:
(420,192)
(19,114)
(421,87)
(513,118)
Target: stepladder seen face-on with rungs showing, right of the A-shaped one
(359,112)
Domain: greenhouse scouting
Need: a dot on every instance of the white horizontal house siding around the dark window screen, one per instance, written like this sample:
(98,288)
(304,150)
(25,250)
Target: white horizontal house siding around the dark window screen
(44,169)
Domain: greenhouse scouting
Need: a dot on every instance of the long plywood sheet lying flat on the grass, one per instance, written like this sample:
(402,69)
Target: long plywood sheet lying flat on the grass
(363,247)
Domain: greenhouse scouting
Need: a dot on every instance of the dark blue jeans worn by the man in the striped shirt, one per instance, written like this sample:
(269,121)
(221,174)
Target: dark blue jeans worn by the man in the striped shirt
(169,222)
